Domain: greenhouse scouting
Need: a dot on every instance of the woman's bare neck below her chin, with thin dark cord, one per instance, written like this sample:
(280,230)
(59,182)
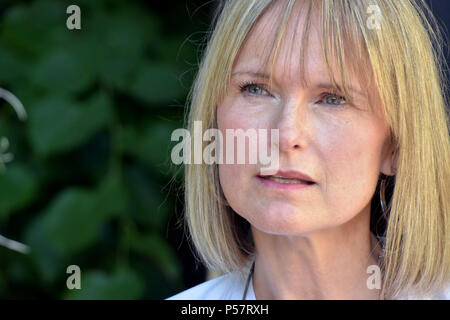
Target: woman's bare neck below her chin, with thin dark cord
(329,264)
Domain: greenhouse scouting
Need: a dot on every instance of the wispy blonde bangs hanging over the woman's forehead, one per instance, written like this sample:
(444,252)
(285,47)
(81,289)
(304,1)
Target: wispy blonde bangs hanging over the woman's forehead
(343,44)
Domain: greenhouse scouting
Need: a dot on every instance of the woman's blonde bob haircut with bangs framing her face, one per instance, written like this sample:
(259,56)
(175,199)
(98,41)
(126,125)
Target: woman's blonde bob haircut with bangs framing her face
(404,57)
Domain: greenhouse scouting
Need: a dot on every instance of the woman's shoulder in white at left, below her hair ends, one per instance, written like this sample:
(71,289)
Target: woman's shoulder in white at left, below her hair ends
(230,286)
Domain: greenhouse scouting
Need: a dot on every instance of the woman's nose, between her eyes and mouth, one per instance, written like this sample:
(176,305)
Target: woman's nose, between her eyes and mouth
(293,125)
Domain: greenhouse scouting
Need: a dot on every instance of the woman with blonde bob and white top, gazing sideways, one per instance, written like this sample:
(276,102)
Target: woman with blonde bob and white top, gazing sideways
(359,208)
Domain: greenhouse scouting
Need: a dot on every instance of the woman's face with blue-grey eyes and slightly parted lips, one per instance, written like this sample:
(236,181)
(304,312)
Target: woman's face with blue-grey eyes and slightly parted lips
(341,146)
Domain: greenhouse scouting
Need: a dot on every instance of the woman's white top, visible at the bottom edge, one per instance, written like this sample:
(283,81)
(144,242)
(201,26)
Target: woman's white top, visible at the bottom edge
(231,286)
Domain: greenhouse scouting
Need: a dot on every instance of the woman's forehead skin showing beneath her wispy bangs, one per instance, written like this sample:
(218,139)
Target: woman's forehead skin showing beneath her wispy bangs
(299,59)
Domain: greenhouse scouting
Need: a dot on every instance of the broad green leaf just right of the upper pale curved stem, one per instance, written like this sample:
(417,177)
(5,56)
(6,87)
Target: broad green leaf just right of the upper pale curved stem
(58,125)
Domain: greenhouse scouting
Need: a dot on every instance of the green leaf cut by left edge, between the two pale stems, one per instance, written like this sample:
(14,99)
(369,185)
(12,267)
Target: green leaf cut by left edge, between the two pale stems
(17,188)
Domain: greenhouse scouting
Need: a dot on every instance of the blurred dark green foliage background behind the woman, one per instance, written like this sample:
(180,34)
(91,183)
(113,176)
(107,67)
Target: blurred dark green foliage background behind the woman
(87,179)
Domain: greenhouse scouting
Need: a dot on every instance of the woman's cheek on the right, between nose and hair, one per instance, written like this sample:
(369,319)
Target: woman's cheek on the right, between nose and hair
(351,155)
